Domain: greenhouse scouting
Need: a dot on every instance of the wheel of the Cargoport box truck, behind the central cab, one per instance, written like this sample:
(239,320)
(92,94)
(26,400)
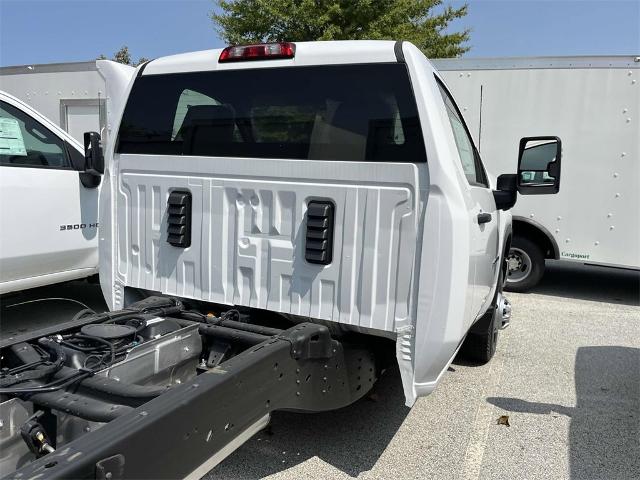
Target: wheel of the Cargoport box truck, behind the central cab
(525,265)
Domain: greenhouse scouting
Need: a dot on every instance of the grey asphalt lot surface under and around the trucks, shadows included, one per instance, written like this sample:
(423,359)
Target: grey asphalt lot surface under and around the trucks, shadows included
(566,373)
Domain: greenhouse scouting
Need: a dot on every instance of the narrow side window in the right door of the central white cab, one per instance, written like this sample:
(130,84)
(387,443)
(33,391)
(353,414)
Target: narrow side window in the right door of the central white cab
(470,159)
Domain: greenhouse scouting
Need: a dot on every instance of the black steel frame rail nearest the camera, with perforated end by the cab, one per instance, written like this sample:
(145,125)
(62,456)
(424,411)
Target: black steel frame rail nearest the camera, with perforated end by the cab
(192,427)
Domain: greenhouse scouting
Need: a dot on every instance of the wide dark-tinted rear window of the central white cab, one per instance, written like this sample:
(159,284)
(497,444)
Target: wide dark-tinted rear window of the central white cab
(348,112)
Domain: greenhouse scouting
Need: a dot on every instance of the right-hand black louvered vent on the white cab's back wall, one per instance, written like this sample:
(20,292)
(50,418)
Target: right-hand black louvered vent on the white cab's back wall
(319,246)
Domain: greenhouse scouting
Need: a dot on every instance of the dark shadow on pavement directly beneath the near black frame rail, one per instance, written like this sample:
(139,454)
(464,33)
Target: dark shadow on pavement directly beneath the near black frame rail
(350,439)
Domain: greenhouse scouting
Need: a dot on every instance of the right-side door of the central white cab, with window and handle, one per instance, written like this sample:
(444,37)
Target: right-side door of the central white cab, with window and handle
(483,220)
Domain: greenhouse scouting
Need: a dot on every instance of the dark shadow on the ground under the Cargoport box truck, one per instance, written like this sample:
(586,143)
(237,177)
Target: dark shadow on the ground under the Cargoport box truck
(590,282)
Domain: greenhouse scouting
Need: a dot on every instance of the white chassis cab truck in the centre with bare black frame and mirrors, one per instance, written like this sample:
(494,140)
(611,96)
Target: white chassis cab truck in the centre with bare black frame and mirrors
(278,223)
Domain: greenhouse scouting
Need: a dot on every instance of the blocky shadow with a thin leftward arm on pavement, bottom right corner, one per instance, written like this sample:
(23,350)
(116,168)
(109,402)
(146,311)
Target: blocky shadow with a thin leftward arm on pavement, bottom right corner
(605,423)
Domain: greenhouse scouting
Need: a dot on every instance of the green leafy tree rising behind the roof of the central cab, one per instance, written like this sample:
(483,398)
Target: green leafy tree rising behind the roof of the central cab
(255,21)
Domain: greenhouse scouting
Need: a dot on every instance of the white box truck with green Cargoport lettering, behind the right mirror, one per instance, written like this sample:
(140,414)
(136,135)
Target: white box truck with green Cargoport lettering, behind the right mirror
(593,104)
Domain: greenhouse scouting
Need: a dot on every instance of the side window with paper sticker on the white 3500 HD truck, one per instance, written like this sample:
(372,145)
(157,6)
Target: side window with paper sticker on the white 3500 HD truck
(24,142)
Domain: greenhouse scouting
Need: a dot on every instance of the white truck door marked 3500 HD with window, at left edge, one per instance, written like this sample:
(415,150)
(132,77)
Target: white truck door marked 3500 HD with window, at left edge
(48,219)
